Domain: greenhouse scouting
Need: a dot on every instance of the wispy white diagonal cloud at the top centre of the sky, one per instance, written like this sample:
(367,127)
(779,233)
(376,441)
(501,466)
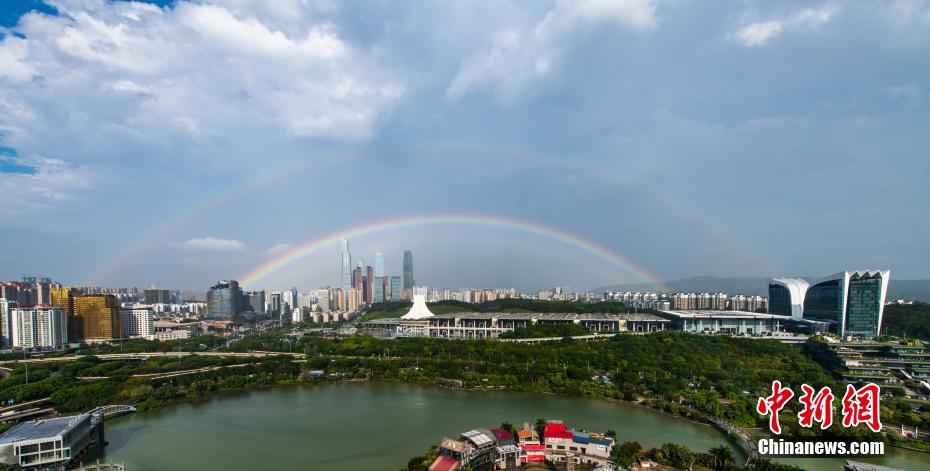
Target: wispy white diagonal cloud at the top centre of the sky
(517,56)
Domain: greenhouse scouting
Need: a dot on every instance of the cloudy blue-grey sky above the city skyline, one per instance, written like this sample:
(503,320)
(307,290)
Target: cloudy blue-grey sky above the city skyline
(183,142)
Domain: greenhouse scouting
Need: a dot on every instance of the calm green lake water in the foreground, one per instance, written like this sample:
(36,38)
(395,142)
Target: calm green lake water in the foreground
(376,426)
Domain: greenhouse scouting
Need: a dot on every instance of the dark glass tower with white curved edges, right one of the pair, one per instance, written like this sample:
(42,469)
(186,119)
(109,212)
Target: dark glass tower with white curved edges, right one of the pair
(852,303)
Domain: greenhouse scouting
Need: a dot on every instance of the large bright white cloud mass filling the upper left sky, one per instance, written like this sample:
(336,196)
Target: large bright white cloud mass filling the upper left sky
(152,82)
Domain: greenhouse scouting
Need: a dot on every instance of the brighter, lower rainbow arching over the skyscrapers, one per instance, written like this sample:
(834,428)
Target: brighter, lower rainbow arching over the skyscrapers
(297,252)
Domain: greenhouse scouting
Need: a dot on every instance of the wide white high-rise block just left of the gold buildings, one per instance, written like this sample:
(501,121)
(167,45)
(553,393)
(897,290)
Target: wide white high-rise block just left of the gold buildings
(39,327)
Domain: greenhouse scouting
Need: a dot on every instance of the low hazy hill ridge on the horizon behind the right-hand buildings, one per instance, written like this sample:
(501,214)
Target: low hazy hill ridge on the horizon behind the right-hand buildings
(917,290)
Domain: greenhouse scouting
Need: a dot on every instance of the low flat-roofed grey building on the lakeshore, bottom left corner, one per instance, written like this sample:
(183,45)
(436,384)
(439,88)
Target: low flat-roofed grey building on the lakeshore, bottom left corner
(46,443)
